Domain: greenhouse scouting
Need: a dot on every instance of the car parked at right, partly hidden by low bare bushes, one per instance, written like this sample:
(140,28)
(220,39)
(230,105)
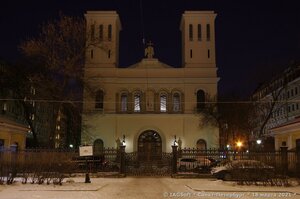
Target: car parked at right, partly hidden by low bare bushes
(242,169)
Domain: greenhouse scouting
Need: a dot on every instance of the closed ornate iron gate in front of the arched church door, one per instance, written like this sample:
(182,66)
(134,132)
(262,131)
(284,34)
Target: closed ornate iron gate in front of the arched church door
(138,165)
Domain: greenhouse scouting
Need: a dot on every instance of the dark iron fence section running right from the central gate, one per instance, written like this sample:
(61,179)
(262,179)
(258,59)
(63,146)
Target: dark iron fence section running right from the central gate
(200,161)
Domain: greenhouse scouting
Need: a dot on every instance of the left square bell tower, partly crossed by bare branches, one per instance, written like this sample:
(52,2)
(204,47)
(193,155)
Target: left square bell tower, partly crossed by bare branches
(102,34)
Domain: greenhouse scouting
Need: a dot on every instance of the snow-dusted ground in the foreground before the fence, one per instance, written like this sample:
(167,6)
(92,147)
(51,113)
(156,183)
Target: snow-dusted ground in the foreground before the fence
(146,187)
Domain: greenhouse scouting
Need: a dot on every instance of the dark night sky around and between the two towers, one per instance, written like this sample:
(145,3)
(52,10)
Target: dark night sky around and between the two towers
(254,38)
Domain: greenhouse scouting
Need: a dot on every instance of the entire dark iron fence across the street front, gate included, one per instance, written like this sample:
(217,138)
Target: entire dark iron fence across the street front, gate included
(38,164)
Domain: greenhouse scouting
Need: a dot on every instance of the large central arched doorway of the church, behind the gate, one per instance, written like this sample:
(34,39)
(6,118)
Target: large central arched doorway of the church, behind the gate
(149,146)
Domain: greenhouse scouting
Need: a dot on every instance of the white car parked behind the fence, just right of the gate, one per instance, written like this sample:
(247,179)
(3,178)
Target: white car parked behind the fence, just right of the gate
(193,164)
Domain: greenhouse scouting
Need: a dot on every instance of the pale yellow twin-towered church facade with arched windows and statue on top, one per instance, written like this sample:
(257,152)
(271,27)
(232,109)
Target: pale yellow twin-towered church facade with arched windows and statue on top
(150,104)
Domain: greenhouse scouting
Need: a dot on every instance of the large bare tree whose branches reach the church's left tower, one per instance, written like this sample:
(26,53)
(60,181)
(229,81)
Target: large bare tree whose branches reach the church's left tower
(59,50)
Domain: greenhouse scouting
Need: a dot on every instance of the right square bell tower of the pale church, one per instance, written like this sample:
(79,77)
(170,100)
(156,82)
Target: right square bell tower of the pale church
(198,39)
